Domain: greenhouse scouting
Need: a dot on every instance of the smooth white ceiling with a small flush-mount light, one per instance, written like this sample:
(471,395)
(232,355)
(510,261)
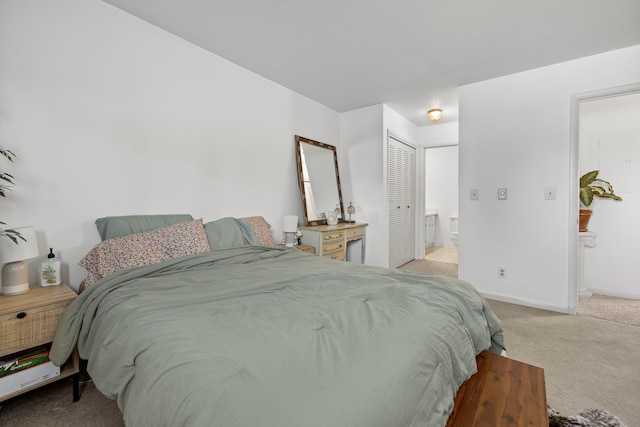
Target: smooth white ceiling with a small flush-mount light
(410,54)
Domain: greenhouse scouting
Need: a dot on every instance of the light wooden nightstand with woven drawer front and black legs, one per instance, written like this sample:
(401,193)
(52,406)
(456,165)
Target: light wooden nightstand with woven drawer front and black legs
(31,320)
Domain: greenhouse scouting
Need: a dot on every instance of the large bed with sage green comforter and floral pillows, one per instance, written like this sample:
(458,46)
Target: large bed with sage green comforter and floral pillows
(240,332)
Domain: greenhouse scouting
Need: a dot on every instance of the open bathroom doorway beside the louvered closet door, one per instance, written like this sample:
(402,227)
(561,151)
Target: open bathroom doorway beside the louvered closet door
(441,204)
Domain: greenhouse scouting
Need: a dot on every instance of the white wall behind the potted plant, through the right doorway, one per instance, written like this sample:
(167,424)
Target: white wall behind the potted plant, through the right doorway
(610,142)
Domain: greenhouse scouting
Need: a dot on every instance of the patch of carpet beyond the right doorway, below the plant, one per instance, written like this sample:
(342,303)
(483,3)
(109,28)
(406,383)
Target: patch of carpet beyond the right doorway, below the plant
(618,310)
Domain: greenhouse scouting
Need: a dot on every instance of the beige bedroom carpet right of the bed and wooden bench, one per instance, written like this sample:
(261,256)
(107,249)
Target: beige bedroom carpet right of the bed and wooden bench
(589,363)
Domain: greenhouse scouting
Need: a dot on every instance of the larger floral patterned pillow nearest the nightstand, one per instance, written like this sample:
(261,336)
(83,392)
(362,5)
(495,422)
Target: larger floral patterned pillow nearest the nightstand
(151,247)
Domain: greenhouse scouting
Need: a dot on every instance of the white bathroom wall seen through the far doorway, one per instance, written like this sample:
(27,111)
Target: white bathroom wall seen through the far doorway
(441,189)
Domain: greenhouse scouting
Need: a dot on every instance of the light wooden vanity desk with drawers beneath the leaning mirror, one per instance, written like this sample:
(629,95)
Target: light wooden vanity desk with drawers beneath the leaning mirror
(331,241)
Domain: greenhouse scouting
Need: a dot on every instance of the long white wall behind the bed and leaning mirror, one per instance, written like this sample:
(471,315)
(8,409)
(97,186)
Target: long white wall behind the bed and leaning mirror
(109,115)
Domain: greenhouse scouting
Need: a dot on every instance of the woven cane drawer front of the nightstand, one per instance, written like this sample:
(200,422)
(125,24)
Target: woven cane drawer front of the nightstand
(30,327)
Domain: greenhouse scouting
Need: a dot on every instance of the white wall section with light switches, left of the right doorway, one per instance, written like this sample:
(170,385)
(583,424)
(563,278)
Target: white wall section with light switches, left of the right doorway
(515,133)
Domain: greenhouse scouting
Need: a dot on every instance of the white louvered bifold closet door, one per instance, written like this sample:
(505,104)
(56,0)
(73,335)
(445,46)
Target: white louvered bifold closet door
(401,181)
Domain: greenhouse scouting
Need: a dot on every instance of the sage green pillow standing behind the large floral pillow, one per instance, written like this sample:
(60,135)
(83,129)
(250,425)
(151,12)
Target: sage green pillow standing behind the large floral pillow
(111,227)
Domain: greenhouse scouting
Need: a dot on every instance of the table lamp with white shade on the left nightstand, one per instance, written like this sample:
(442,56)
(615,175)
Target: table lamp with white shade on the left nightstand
(15,274)
